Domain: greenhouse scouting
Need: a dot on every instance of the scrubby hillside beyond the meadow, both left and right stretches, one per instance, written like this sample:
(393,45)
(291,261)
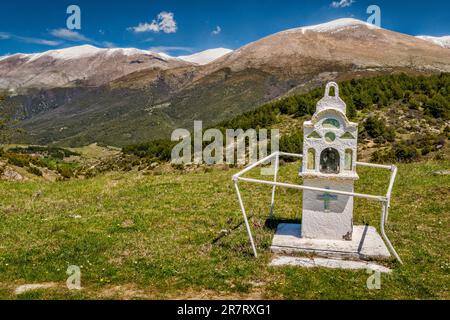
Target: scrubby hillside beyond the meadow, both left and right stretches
(401,119)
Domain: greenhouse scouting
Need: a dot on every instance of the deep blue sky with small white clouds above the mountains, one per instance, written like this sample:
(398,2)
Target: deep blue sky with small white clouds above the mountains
(185,27)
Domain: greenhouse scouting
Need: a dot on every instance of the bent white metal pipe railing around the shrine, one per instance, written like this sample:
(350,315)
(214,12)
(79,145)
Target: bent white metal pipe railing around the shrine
(385,200)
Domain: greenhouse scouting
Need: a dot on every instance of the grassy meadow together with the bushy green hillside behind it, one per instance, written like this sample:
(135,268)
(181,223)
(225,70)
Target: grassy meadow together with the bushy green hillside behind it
(117,214)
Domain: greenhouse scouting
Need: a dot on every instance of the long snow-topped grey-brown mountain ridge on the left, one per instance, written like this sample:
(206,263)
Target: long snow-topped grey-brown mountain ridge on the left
(77,66)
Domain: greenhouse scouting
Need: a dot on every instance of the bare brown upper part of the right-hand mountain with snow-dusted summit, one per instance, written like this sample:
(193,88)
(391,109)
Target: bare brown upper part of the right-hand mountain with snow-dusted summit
(347,42)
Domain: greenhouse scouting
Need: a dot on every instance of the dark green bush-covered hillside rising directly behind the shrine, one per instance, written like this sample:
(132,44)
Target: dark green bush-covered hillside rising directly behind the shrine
(401,118)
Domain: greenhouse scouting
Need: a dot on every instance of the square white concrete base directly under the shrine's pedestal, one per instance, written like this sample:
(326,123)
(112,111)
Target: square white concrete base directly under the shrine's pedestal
(366,244)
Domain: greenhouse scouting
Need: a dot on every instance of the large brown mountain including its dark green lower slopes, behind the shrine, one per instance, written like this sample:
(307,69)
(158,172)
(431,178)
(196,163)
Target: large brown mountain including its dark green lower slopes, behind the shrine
(151,102)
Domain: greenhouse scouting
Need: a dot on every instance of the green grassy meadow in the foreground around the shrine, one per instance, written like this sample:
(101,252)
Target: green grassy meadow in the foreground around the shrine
(140,236)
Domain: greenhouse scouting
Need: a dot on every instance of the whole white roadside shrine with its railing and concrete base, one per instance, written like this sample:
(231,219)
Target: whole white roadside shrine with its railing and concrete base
(329,163)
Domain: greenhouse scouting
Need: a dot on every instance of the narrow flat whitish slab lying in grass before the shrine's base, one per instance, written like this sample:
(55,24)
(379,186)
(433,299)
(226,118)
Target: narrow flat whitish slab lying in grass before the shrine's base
(327,263)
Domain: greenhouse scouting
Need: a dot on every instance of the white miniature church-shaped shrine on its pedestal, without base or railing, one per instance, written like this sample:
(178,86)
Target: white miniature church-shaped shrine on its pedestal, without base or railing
(329,162)
